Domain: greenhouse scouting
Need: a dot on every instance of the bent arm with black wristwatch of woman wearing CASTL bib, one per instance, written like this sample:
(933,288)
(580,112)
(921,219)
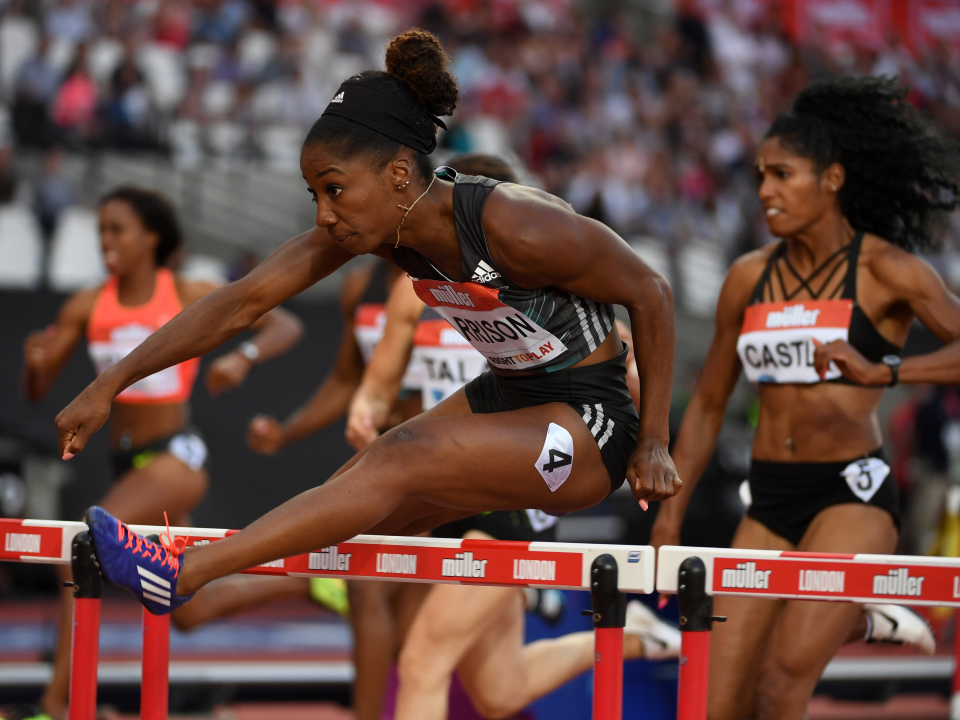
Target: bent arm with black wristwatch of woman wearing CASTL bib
(917,286)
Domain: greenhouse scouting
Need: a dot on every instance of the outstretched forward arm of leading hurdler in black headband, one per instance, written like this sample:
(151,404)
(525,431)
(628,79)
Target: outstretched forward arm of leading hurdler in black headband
(203,326)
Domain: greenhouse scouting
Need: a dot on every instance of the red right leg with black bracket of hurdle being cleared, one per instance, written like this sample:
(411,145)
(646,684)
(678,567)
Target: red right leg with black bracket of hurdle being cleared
(609,617)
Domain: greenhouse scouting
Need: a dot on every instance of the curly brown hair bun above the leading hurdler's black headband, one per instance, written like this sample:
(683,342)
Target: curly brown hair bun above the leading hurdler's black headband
(418,59)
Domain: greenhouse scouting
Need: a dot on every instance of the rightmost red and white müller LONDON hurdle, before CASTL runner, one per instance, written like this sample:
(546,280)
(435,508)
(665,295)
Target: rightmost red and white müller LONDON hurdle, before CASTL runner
(698,574)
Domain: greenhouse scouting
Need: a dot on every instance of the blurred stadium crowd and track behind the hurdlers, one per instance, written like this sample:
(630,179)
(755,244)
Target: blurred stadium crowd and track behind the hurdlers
(644,114)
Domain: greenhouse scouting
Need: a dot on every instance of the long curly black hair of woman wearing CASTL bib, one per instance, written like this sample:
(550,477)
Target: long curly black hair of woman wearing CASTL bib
(899,174)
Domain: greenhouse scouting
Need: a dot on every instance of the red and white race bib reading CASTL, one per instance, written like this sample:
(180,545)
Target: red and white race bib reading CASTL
(776,340)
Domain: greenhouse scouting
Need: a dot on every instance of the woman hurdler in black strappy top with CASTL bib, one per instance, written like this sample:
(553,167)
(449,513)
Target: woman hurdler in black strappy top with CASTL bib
(849,179)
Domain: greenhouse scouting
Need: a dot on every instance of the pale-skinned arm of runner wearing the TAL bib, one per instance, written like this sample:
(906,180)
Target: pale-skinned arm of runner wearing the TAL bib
(371,404)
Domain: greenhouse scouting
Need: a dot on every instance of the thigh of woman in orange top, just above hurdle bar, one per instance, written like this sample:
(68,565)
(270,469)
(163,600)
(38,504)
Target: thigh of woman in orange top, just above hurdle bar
(165,484)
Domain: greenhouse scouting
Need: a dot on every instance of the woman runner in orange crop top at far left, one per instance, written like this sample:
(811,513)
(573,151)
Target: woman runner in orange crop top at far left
(157,458)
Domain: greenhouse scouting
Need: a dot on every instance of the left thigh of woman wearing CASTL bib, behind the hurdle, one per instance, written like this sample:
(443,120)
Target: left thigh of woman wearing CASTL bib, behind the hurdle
(737,646)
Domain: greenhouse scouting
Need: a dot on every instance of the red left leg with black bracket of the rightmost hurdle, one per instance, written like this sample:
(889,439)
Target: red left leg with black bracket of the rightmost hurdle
(696,620)
